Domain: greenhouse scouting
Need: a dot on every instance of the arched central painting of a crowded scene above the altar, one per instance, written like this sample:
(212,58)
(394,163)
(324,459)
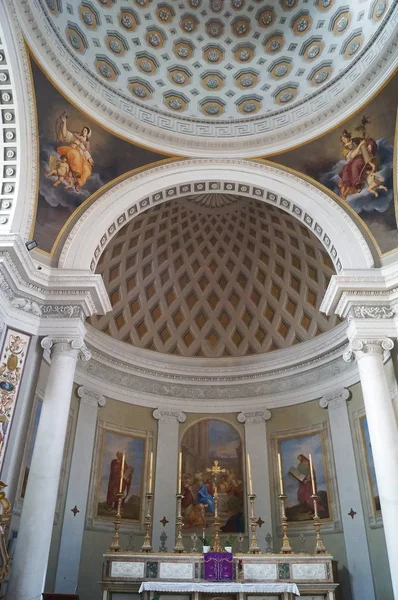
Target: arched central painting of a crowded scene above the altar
(203,443)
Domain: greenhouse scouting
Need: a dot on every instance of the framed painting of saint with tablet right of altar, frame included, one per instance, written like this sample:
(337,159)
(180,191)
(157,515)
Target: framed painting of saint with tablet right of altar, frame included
(295,447)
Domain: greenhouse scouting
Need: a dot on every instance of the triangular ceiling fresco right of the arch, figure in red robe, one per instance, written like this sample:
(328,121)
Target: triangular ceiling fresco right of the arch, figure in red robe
(356,162)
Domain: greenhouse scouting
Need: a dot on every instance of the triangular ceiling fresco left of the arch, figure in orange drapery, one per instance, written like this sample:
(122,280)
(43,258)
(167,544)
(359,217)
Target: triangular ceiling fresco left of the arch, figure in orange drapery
(77,158)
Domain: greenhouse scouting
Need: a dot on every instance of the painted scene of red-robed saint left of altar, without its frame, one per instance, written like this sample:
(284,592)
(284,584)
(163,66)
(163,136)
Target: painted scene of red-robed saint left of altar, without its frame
(110,476)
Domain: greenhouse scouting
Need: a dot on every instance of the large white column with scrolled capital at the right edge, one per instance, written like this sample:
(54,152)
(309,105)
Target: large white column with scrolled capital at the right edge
(383,431)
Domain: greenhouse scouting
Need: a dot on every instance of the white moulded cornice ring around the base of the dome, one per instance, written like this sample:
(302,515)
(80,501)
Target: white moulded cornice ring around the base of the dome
(270,133)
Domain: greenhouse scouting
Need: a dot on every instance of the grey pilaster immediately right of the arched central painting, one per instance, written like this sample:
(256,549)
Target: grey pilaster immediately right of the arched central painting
(256,446)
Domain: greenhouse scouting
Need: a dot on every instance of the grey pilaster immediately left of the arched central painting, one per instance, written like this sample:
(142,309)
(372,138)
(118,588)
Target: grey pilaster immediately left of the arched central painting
(165,489)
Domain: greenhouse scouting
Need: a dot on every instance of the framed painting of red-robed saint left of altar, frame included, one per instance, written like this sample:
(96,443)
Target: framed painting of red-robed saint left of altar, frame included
(110,473)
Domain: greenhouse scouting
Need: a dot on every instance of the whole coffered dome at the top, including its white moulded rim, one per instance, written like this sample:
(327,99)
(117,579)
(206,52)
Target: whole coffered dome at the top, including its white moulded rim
(214,68)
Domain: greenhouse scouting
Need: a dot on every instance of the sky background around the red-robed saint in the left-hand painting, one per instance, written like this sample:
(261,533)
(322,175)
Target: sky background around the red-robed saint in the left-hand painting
(135,452)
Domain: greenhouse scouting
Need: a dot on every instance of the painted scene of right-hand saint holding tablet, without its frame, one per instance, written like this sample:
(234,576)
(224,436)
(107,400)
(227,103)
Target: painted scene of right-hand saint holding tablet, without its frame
(297,479)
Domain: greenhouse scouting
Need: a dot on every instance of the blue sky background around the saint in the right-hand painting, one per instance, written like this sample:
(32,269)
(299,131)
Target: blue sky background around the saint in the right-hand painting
(289,450)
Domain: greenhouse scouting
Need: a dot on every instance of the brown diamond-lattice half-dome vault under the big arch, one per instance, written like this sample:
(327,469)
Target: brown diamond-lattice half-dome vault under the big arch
(215,277)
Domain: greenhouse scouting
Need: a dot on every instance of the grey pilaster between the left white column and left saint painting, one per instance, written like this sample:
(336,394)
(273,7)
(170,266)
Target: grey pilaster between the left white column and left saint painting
(79,479)
